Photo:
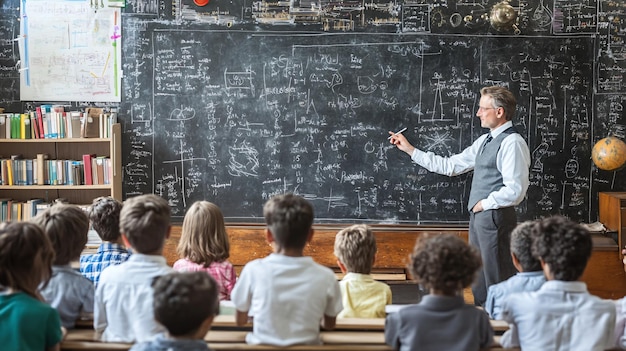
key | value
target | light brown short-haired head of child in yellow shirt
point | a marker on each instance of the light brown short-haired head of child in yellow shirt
(355, 248)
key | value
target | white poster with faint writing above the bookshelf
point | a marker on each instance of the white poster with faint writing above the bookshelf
(70, 51)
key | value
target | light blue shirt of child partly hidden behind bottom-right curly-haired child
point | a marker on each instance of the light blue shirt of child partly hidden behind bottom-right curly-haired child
(523, 281)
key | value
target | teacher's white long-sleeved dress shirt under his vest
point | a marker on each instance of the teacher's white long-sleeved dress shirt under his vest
(513, 162)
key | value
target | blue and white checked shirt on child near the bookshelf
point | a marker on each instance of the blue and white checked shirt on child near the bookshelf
(108, 254)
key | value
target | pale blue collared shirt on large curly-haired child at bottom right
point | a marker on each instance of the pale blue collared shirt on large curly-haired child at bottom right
(560, 315)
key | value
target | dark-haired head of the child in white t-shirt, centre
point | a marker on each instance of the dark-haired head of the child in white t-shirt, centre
(289, 218)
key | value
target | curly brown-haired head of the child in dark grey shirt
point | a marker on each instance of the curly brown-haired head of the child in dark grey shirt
(444, 263)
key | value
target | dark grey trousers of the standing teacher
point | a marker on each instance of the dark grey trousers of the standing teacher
(490, 232)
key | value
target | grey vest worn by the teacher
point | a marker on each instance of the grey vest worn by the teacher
(487, 178)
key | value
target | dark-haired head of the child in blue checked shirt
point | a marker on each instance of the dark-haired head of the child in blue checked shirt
(104, 214)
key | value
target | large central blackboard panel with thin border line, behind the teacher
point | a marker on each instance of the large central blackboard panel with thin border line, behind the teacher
(309, 114)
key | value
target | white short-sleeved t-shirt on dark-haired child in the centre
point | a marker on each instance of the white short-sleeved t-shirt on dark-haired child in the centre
(287, 297)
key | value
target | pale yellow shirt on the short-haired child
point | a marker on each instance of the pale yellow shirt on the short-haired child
(363, 297)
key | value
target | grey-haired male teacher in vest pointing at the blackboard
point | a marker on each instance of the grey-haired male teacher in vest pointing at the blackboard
(501, 161)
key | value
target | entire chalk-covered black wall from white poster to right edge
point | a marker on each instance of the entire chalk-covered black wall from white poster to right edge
(236, 102)
